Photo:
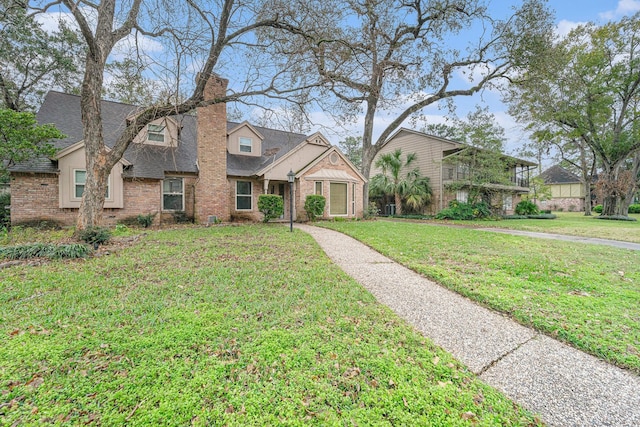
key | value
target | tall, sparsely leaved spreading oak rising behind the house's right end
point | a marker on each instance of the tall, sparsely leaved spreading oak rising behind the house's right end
(400, 56)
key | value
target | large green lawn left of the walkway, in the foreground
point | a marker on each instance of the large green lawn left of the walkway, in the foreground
(230, 326)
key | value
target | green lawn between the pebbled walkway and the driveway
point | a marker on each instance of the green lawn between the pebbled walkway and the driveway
(585, 295)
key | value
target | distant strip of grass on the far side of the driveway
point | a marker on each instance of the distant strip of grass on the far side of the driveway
(570, 223)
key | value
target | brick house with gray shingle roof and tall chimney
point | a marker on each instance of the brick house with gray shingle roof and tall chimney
(197, 165)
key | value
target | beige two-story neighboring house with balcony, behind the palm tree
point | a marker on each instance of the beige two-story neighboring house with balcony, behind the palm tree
(437, 158)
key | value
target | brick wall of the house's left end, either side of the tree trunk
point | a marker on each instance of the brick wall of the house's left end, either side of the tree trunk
(35, 197)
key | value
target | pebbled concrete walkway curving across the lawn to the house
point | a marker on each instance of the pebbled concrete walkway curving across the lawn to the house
(565, 386)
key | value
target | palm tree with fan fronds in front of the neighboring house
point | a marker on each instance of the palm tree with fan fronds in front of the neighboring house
(412, 187)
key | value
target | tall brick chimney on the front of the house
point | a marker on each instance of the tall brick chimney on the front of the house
(212, 188)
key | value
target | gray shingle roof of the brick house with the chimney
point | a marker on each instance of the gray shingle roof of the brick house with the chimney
(149, 161)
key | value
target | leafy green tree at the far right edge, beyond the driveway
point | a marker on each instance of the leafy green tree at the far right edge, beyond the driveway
(584, 95)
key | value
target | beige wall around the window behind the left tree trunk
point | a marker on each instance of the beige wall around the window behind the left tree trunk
(76, 161)
